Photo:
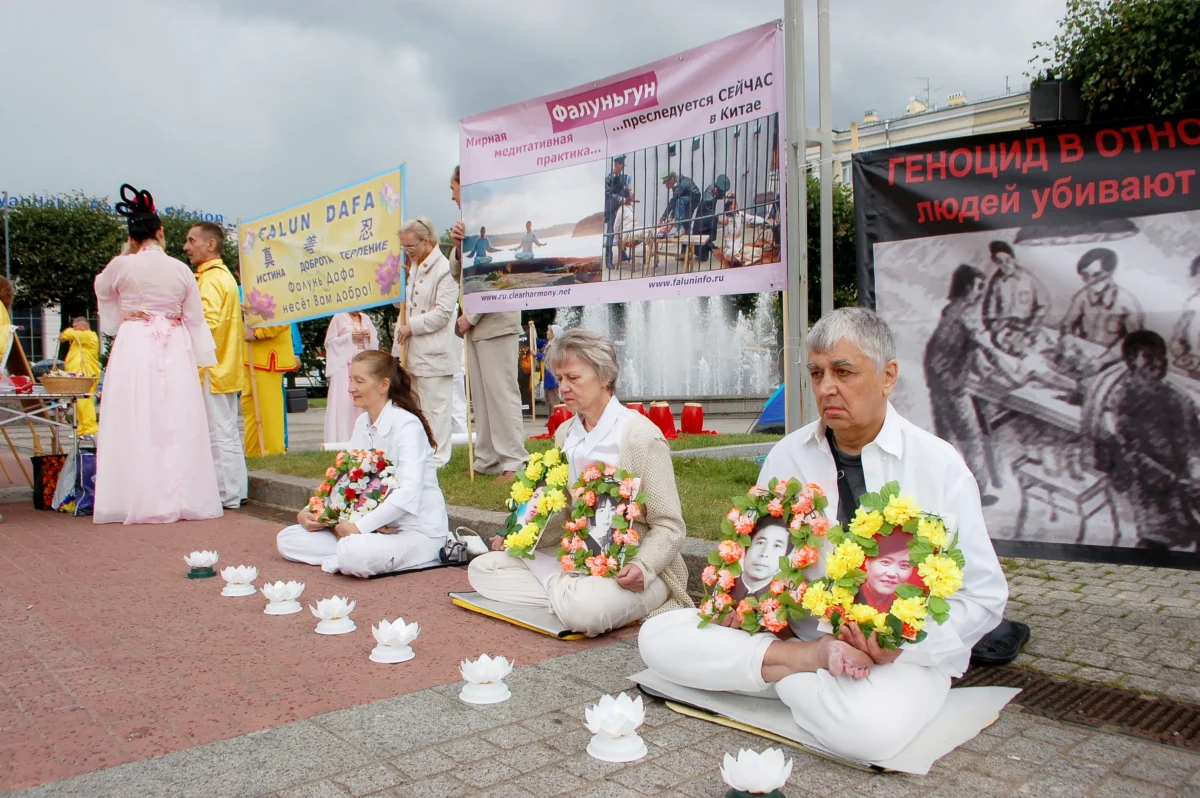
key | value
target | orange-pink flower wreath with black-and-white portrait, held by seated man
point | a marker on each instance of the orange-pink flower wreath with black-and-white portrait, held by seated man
(783, 514)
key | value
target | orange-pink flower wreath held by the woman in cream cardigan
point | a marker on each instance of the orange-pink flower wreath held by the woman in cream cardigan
(603, 484)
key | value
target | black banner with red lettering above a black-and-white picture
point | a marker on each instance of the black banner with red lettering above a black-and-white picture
(1045, 291)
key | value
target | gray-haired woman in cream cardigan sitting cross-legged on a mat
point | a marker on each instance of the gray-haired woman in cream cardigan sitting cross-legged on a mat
(602, 431)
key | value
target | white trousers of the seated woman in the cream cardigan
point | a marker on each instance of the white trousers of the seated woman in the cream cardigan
(592, 605)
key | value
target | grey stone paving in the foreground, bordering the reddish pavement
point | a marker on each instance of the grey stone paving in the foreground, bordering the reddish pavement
(429, 745)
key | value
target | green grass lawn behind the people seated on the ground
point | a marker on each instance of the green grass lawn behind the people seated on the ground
(706, 487)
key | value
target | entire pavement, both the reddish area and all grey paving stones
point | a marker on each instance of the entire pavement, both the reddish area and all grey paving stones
(110, 657)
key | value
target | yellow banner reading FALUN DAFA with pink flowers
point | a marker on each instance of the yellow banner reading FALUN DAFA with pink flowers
(334, 254)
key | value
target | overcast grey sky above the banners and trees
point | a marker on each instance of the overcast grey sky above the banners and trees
(243, 109)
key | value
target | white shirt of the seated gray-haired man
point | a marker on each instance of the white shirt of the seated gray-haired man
(935, 476)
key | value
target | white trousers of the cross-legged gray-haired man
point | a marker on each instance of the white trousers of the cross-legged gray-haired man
(869, 719)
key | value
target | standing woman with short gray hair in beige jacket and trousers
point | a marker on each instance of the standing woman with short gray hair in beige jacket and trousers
(427, 340)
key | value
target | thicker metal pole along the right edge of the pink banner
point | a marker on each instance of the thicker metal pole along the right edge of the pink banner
(796, 377)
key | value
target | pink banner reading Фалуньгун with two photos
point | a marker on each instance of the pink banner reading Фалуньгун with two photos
(659, 183)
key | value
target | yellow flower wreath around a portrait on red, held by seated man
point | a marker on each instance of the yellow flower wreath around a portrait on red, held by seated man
(891, 572)
